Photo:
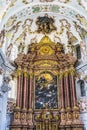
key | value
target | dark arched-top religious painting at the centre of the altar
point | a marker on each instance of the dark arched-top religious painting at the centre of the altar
(46, 91)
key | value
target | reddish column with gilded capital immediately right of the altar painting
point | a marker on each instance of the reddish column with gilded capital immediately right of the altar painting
(61, 88)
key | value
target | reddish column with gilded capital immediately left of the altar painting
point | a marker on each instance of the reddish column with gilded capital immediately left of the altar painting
(30, 109)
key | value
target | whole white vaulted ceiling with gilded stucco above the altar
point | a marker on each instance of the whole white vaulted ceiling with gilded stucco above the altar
(66, 22)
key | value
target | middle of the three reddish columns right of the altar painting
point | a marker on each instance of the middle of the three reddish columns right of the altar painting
(67, 100)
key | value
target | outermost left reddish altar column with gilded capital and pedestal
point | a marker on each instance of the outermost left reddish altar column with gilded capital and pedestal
(16, 124)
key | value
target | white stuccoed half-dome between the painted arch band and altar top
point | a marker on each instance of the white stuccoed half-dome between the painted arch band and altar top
(24, 32)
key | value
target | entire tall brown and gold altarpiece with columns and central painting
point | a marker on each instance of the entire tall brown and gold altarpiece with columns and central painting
(46, 95)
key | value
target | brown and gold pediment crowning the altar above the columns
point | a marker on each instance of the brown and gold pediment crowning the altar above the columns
(46, 54)
